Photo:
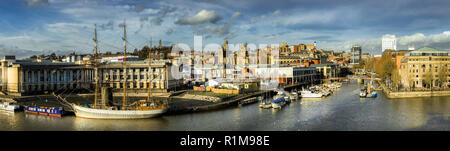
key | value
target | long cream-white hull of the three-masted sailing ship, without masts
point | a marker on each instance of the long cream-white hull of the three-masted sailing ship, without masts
(115, 114)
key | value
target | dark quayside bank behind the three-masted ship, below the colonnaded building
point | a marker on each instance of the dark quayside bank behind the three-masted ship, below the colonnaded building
(182, 102)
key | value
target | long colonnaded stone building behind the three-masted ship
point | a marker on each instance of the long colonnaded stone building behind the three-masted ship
(25, 77)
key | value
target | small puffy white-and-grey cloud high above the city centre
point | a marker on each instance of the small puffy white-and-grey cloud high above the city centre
(204, 16)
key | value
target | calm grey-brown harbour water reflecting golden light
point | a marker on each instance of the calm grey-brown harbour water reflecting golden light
(343, 110)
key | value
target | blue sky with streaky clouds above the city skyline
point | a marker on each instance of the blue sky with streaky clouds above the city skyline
(34, 27)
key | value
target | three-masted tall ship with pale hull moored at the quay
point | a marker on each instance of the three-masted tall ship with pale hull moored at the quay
(137, 110)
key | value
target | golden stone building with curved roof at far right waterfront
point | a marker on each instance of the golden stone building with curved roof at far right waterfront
(417, 65)
